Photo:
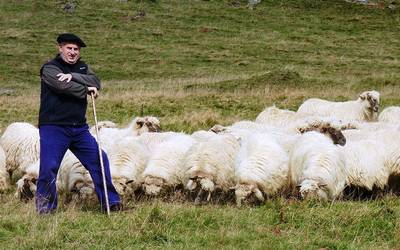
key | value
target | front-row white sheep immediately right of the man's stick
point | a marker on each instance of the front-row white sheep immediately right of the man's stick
(127, 162)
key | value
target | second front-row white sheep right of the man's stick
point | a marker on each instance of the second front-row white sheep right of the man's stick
(165, 168)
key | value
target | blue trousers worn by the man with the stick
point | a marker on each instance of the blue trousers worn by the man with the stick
(55, 140)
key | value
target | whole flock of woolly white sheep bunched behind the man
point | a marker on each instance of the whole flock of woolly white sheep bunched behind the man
(322, 151)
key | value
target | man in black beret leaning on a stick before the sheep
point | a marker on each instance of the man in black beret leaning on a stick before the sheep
(65, 83)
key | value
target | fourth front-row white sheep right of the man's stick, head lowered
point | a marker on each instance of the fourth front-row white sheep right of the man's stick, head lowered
(261, 167)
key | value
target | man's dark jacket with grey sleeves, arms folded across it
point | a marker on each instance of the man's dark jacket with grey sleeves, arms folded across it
(63, 103)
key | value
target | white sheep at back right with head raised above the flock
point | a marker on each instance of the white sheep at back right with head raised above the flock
(365, 108)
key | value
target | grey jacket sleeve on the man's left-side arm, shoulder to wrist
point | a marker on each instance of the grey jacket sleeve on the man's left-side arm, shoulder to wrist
(71, 88)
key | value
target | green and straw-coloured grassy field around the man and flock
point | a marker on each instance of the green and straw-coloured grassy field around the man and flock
(194, 64)
